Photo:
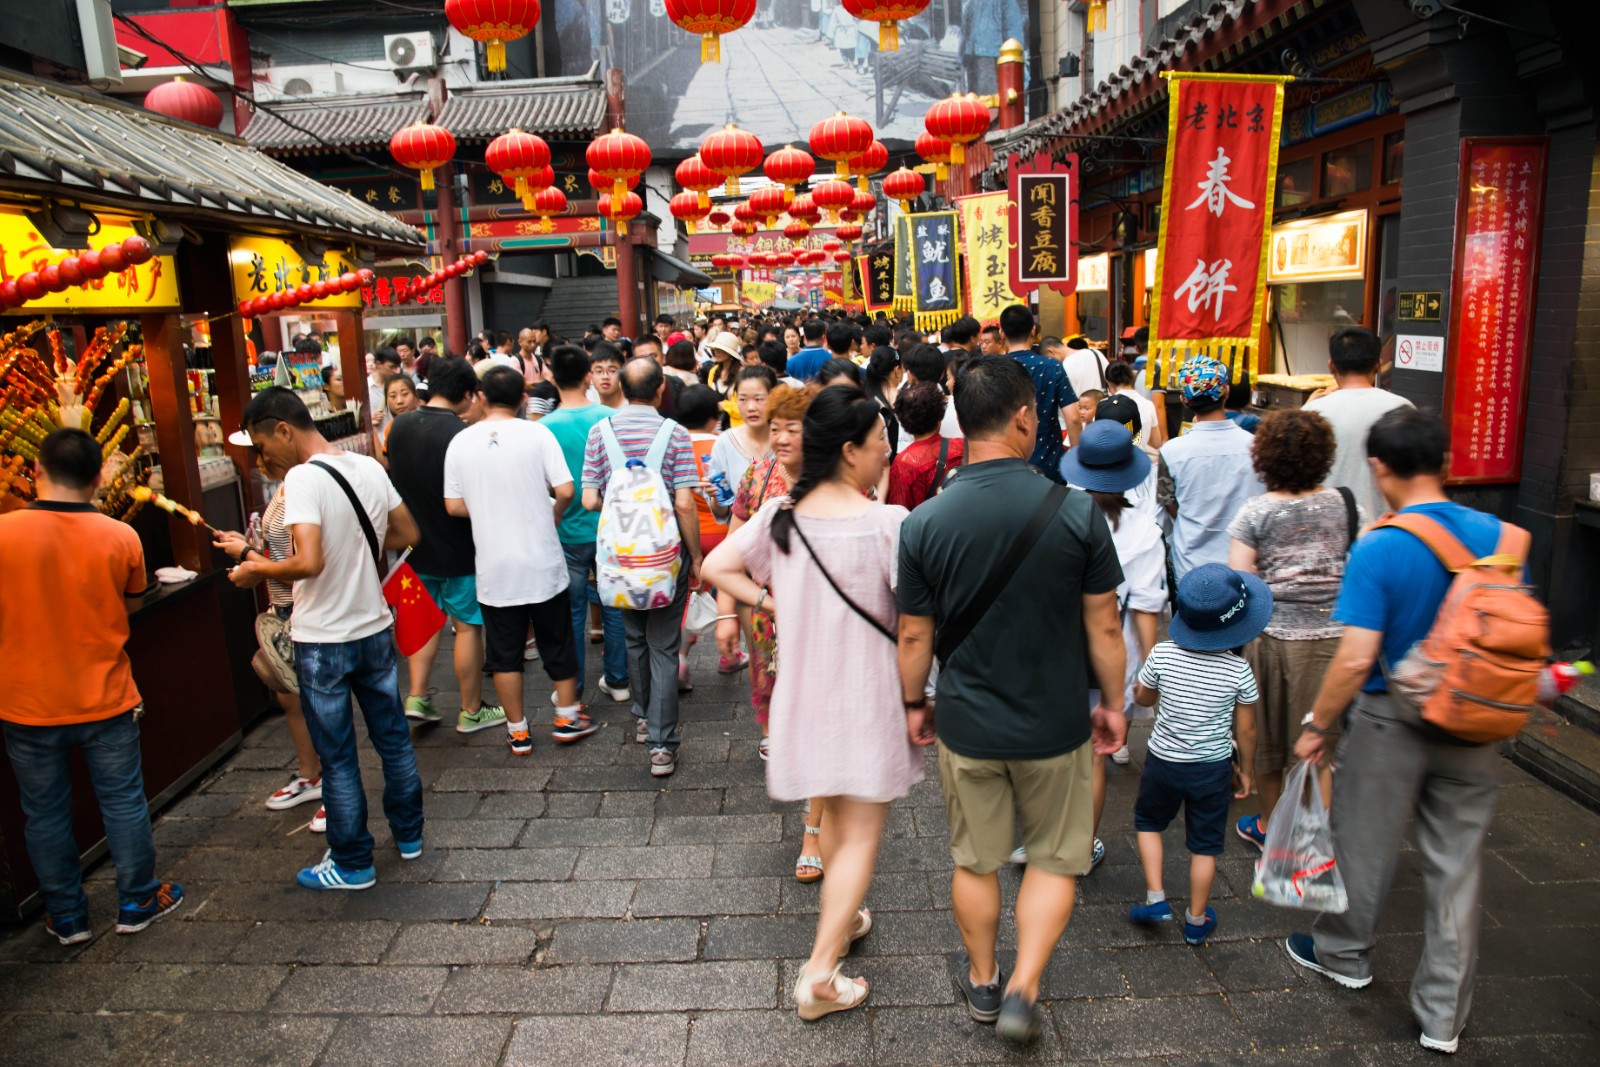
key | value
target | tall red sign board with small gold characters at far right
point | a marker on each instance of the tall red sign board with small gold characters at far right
(1500, 214)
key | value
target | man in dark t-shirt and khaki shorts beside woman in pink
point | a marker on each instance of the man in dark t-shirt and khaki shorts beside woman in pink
(1015, 729)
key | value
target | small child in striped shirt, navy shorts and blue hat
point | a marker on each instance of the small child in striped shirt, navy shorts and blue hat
(1206, 697)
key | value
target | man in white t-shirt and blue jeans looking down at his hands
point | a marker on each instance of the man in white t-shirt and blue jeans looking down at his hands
(342, 513)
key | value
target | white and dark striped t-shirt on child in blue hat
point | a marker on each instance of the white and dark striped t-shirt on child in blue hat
(1194, 719)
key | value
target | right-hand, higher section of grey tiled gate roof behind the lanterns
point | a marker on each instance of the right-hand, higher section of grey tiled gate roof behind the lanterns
(572, 110)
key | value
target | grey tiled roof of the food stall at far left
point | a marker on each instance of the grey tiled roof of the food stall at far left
(66, 143)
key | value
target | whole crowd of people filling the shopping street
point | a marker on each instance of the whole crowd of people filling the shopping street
(977, 541)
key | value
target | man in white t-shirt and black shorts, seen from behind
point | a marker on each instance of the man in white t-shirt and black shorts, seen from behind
(511, 479)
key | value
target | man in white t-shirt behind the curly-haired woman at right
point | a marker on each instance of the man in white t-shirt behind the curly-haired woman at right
(1353, 409)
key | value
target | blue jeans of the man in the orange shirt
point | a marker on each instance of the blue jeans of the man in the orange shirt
(111, 748)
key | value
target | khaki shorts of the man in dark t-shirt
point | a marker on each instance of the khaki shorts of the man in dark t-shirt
(1055, 799)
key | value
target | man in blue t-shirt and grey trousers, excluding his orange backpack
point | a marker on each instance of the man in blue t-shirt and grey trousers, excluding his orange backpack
(1393, 764)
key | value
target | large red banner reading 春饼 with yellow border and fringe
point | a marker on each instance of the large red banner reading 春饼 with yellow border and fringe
(1217, 220)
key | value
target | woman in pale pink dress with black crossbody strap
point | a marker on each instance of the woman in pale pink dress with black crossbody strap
(828, 554)
